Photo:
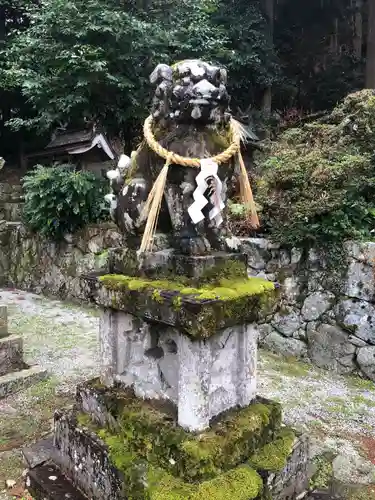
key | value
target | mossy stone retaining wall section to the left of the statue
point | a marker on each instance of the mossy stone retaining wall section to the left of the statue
(32, 263)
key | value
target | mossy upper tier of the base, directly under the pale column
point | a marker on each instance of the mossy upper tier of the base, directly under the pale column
(148, 429)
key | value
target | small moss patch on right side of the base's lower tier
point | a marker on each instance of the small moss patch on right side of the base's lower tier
(273, 456)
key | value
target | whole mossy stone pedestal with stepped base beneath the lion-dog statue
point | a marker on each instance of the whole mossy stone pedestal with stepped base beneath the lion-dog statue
(175, 413)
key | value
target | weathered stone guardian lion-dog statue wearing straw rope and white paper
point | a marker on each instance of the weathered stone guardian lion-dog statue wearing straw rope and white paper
(190, 121)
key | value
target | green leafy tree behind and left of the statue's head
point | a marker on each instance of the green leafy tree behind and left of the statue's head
(91, 59)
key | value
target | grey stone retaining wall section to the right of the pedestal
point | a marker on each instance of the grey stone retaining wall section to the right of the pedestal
(325, 315)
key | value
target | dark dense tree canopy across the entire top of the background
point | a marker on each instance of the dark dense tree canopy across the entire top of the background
(66, 62)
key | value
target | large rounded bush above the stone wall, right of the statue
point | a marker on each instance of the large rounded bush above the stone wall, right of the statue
(318, 183)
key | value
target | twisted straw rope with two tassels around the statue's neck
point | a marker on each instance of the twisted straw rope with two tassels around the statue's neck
(153, 204)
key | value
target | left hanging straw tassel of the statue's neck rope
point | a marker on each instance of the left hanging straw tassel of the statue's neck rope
(152, 208)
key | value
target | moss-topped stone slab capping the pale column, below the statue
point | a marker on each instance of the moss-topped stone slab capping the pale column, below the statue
(198, 312)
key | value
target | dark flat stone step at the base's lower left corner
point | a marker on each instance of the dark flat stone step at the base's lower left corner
(46, 482)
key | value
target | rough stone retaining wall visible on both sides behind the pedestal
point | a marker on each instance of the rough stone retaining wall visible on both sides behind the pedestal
(323, 316)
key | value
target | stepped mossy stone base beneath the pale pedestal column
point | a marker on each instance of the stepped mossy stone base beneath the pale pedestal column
(114, 445)
